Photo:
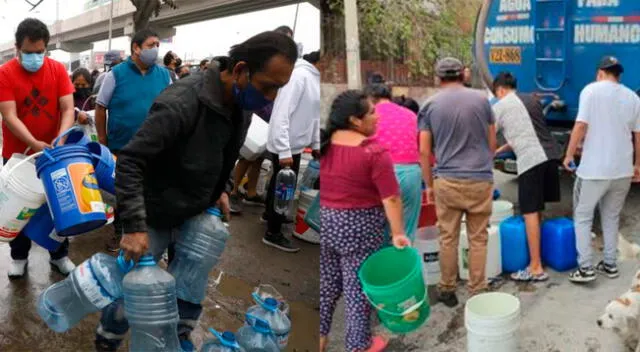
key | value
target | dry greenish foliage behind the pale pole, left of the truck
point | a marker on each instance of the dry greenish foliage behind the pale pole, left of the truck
(415, 32)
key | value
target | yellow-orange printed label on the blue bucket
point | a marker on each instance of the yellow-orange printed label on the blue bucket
(85, 185)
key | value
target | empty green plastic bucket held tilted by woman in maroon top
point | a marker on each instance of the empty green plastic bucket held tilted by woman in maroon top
(392, 281)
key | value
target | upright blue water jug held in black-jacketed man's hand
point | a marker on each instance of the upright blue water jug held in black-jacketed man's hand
(151, 308)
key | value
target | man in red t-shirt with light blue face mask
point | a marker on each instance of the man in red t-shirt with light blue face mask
(36, 102)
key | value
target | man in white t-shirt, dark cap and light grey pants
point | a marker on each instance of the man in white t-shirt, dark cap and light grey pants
(608, 117)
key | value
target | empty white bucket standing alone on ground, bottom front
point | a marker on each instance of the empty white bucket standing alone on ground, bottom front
(492, 321)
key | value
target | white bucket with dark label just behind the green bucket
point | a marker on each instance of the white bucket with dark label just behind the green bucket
(429, 248)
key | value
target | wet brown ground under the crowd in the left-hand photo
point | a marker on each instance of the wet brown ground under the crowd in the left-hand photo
(246, 263)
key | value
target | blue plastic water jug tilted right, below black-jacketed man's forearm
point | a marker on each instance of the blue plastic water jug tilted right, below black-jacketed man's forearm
(198, 249)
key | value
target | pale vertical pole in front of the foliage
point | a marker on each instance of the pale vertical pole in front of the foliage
(353, 44)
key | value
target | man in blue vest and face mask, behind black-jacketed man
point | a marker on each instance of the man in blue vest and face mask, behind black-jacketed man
(139, 81)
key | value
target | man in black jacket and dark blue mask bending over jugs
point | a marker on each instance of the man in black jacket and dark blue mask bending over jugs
(178, 163)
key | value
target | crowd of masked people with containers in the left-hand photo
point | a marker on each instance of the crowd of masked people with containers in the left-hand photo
(176, 135)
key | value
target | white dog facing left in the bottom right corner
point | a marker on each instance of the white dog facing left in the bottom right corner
(622, 317)
